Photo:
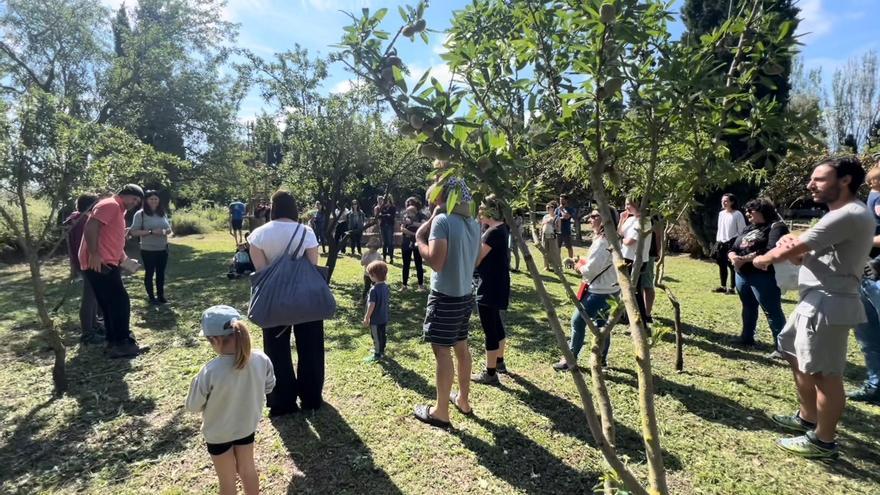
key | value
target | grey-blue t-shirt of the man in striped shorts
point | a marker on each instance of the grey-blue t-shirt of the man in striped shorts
(462, 237)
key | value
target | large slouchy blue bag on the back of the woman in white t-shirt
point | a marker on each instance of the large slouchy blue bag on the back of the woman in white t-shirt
(290, 291)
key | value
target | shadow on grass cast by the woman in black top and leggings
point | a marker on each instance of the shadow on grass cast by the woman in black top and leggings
(569, 419)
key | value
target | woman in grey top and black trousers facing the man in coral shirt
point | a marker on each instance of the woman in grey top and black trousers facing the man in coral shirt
(151, 225)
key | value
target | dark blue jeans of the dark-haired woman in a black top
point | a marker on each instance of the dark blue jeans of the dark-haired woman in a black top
(759, 291)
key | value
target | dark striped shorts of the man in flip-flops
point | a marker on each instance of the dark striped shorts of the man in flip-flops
(447, 318)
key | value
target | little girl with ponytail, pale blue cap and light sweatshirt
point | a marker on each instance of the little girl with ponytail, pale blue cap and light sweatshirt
(230, 391)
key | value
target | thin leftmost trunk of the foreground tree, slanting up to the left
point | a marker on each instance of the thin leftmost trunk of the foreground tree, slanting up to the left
(608, 452)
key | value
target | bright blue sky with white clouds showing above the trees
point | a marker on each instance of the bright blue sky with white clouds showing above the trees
(833, 31)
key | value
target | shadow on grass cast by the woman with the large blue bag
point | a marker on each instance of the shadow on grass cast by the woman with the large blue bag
(329, 456)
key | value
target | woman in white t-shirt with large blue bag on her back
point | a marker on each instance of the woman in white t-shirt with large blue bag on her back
(289, 296)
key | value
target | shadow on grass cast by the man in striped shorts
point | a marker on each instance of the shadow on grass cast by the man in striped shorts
(523, 463)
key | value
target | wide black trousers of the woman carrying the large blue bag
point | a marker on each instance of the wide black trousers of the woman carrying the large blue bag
(307, 382)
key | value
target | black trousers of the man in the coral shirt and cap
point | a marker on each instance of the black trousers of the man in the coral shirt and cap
(114, 303)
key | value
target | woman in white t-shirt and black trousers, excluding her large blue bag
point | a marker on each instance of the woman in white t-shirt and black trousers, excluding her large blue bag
(267, 244)
